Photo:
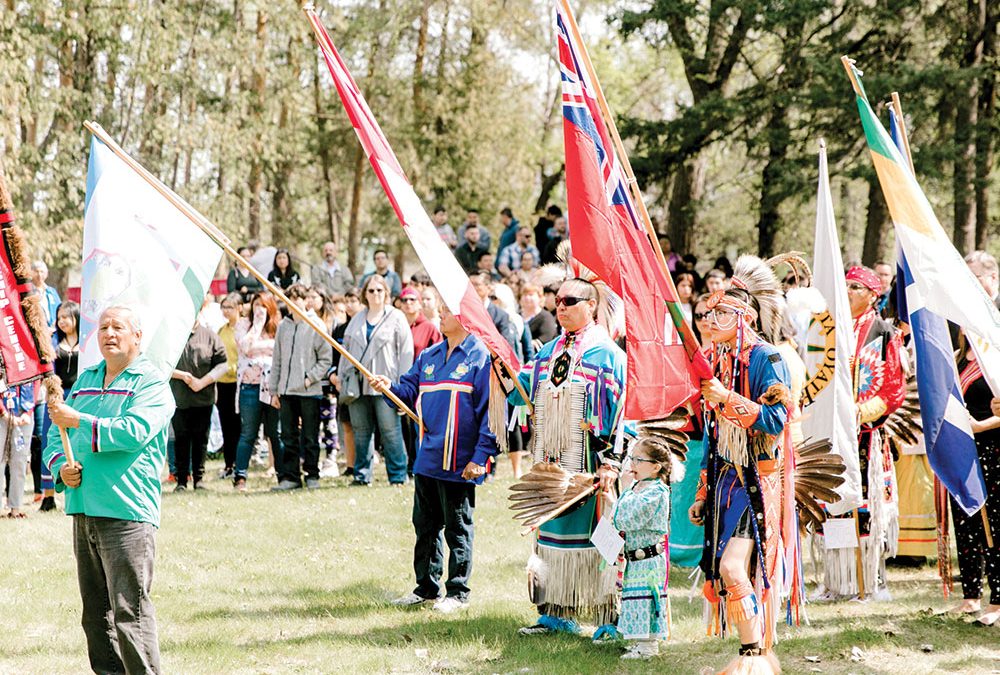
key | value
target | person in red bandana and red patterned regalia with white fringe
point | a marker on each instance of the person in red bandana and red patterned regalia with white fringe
(879, 388)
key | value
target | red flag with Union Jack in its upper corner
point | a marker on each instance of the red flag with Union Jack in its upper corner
(664, 361)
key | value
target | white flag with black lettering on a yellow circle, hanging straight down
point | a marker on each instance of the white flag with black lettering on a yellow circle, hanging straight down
(828, 410)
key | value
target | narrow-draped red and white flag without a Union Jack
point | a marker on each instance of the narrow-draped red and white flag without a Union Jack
(447, 275)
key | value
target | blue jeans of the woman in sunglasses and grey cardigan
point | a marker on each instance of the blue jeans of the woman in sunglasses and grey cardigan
(367, 412)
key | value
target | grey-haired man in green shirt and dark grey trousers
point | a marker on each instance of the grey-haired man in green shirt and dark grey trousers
(116, 417)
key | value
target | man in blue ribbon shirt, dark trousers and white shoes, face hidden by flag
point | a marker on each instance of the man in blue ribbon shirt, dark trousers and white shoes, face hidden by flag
(449, 385)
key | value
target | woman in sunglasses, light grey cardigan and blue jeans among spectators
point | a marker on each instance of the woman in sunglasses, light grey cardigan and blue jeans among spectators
(379, 337)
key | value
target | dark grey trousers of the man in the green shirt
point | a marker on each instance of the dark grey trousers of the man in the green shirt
(114, 566)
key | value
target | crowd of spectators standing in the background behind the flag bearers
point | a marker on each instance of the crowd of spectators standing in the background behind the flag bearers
(259, 387)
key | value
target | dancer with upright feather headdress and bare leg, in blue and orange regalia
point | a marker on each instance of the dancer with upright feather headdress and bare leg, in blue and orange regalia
(742, 496)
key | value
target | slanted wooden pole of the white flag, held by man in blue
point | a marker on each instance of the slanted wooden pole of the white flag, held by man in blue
(216, 235)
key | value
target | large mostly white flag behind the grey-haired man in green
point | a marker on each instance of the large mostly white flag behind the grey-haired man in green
(141, 251)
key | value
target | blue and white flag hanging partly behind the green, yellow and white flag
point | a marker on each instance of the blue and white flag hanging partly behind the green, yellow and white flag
(951, 448)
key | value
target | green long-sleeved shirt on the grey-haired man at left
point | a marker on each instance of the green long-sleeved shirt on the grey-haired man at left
(121, 443)
